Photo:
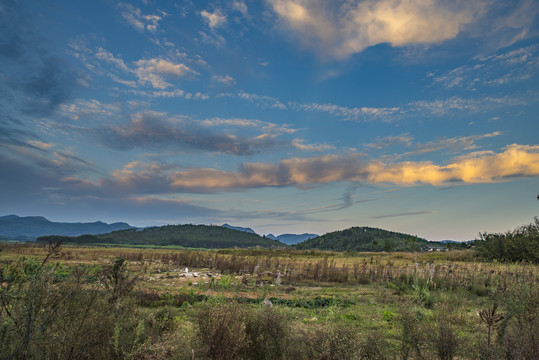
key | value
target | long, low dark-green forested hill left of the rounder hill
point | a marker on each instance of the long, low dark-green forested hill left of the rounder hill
(193, 236)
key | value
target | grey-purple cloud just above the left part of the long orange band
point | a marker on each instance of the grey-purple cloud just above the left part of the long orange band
(154, 130)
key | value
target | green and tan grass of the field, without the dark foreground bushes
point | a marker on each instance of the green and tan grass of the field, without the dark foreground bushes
(163, 309)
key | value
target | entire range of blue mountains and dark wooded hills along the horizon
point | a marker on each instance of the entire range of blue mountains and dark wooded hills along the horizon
(30, 228)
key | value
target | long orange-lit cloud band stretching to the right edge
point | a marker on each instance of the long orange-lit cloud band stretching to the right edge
(514, 161)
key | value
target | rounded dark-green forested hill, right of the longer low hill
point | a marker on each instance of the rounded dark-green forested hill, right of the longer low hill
(364, 239)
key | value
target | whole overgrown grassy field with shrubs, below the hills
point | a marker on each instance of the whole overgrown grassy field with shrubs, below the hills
(158, 303)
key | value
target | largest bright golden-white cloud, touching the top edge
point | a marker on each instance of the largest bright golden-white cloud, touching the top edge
(339, 29)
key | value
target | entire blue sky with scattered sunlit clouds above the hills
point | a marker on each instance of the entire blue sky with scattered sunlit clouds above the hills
(286, 116)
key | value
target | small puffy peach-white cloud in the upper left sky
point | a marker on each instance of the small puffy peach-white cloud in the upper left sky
(154, 71)
